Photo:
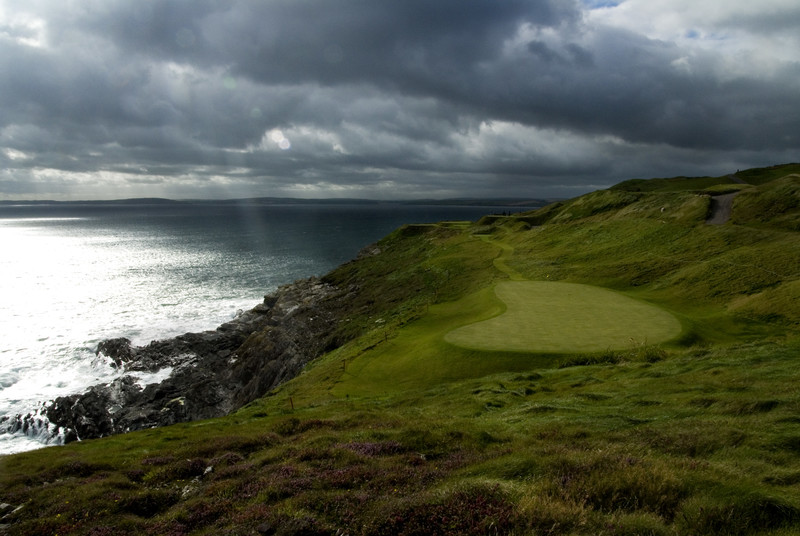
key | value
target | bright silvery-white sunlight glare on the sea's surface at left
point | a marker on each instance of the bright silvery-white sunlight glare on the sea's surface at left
(64, 292)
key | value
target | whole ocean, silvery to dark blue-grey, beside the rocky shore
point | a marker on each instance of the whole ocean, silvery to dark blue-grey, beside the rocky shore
(72, 275)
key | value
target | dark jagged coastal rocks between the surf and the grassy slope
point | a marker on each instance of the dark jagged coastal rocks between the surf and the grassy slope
(213, 372)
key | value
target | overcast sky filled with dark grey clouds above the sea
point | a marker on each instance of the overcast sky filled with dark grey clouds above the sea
(104, 99)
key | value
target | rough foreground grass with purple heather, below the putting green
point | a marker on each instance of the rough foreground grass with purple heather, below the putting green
(700, 443)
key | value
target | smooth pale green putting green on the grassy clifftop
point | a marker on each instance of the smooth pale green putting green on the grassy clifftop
(551, 317)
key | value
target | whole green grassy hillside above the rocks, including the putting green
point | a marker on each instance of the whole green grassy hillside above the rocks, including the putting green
(400, 431)
